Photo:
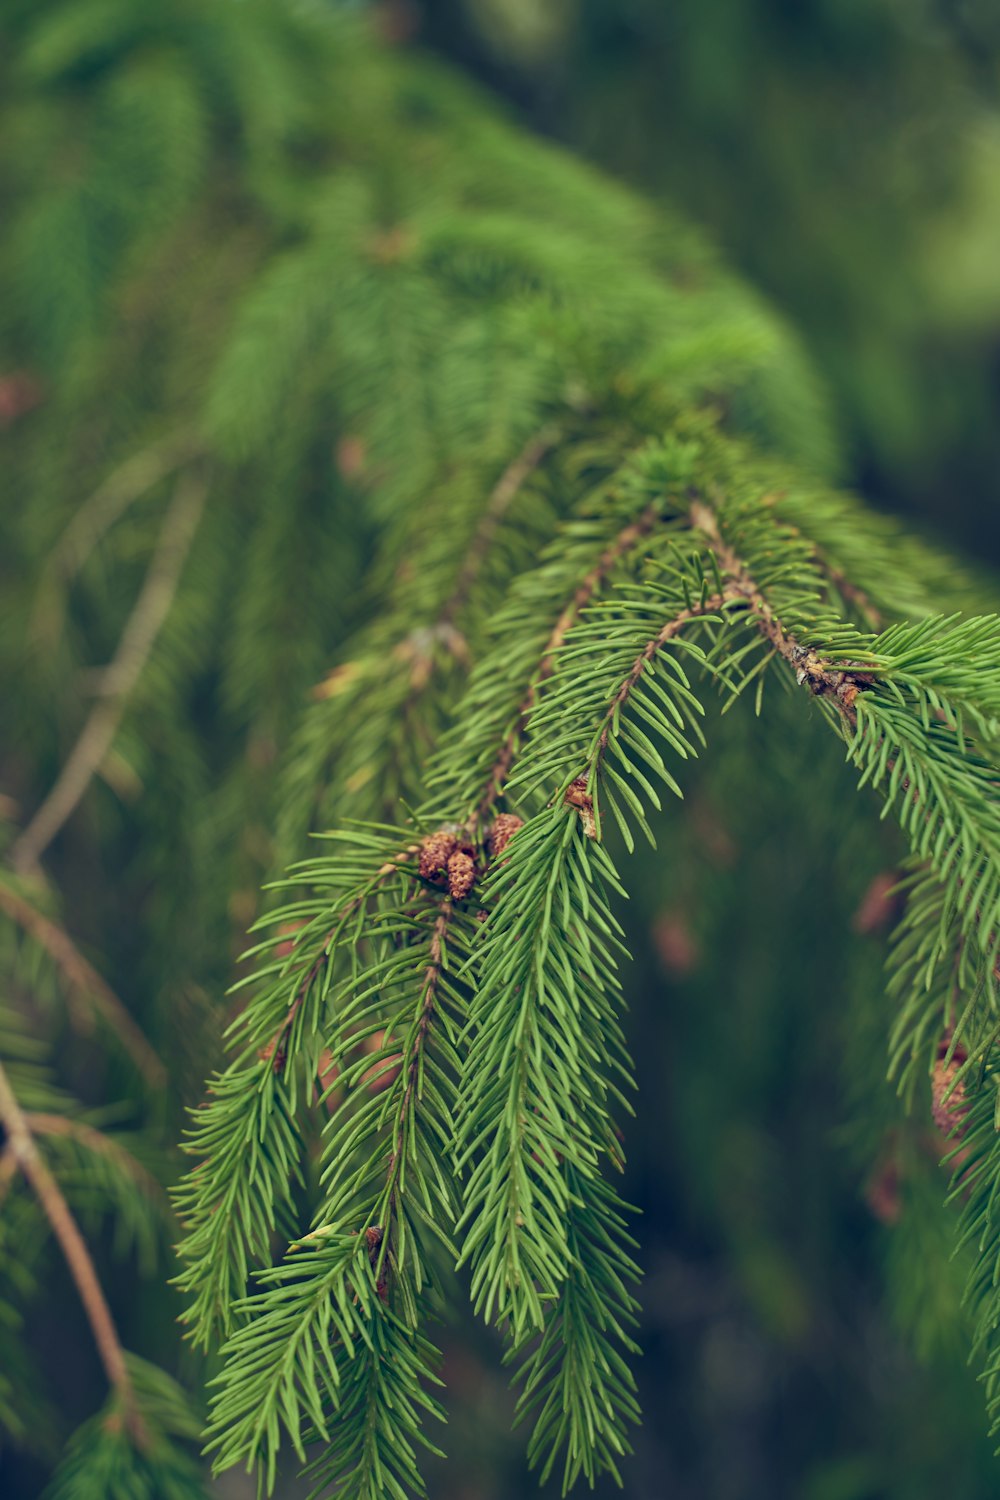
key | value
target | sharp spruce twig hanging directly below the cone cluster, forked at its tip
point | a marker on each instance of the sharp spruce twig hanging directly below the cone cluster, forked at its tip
(380, 1204)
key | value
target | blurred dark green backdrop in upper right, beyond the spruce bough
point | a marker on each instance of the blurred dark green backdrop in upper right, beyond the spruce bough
(846, 157)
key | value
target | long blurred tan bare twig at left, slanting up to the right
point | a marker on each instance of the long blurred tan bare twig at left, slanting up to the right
(137, 641)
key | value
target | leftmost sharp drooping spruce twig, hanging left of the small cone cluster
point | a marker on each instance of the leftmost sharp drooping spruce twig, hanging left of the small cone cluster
(247, 1138)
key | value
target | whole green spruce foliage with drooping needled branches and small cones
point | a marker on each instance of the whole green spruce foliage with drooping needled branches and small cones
(331, 383)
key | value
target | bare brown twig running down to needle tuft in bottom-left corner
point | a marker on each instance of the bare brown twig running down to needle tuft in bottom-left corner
(73, 1244)
